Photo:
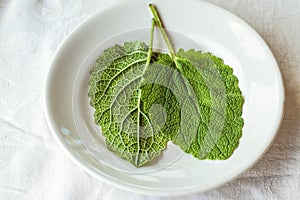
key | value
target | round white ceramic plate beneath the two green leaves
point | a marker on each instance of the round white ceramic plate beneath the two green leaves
(192, 24)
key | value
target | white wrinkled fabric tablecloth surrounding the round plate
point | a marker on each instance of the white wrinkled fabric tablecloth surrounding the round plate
(32, 166)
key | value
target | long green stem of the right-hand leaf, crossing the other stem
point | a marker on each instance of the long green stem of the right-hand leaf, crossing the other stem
(158, 22)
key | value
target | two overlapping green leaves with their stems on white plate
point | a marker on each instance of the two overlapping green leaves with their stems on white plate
(144, 99)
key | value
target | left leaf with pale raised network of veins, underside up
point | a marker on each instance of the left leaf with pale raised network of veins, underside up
(114, 91)
